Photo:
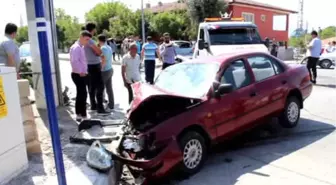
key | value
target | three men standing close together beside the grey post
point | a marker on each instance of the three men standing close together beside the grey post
(92, 69)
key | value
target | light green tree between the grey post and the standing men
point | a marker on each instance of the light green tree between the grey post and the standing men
(68, 28)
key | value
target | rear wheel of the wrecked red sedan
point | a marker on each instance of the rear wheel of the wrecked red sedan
(290, 116)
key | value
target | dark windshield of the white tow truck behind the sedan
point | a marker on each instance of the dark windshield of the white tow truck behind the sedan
(220, 36)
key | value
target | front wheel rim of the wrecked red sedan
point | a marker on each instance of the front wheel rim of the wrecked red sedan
(192, 154)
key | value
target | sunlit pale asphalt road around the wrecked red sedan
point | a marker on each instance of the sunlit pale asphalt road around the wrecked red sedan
(269, 155)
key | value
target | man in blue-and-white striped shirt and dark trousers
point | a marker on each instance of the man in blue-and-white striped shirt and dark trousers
(149, 52)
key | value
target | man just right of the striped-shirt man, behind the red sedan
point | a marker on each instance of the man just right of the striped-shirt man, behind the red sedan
(167, 51)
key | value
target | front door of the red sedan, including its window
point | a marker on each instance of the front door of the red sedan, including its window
(230, 109)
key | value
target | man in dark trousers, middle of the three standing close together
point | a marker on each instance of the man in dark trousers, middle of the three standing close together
(95, 58)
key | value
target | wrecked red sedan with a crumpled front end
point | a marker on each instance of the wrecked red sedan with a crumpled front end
(196, 104)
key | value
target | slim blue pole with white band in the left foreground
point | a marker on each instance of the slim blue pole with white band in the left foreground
(41, 25)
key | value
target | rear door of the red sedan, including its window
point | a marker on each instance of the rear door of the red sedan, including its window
(271, 84)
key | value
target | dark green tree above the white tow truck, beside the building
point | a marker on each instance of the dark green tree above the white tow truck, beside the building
(200, 9)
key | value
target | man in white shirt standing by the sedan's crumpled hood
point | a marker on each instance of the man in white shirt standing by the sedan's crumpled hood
(130, 70)
